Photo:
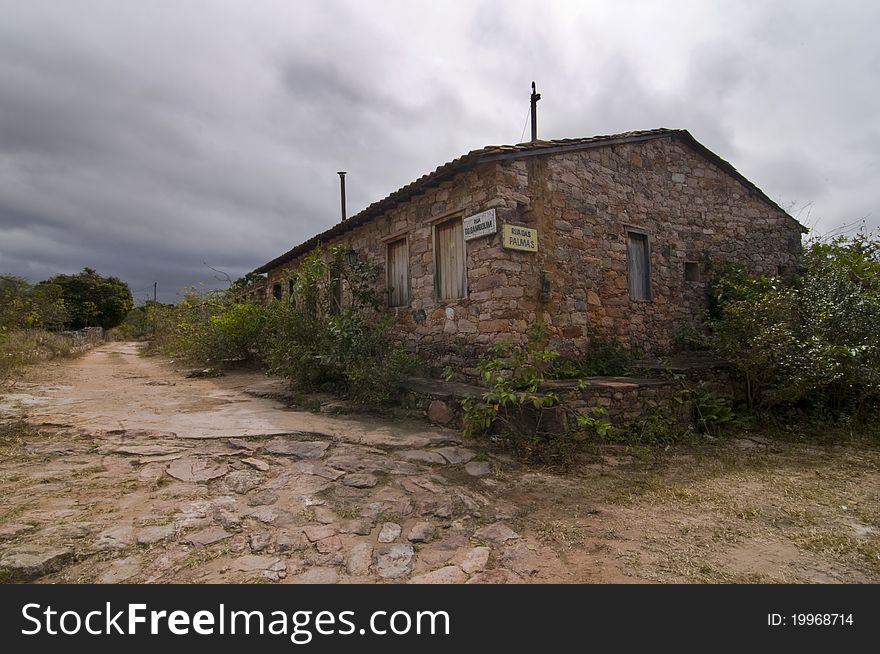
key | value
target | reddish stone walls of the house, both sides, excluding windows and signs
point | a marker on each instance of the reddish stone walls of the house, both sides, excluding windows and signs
(581, 202)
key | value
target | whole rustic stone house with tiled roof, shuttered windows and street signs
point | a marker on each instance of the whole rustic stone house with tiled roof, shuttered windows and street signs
(606, 235)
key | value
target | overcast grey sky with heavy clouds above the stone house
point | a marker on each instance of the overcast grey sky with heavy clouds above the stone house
(144, 139)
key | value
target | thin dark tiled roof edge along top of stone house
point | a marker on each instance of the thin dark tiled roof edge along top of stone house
(498, 153)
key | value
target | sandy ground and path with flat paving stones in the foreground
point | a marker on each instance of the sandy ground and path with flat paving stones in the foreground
(128, 471)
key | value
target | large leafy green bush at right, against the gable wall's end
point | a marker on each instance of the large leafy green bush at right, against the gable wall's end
(811, 341)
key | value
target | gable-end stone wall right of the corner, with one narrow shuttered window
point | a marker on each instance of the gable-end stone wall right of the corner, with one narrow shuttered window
(692, 211)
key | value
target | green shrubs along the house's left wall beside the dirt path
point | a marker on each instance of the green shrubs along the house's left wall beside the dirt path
(307, 337)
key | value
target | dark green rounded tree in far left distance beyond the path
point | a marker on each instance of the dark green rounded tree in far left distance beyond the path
(90, 299)
